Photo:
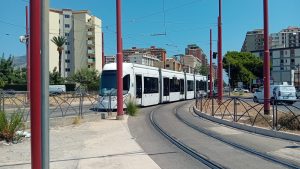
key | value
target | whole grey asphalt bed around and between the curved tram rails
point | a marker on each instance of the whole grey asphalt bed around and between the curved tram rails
(152, 142)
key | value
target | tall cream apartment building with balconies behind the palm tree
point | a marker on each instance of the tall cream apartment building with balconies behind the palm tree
(83, 48)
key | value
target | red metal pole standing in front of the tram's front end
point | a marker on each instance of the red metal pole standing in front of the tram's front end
(119, 63)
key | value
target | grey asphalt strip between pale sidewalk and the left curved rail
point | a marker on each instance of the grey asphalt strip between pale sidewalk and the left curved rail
(164, 153)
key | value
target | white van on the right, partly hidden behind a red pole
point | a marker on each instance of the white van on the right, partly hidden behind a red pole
(280, 93)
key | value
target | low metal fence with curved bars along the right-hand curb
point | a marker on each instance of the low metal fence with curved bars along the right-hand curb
(243, 110)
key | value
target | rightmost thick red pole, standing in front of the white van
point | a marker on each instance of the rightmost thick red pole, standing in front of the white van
(266, 60)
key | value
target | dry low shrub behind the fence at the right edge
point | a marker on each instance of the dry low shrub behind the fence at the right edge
(288, 121)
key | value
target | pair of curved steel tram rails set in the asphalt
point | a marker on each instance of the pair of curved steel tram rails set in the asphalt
(203, 158)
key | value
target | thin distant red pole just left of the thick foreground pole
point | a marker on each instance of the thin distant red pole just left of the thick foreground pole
(27, 53)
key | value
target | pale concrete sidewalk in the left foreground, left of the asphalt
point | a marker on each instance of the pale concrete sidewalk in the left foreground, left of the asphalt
(104, 144)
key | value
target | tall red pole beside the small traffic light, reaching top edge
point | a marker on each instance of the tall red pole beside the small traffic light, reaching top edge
(220, 65)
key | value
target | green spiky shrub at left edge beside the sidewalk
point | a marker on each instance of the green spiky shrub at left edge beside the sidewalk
(9, 126)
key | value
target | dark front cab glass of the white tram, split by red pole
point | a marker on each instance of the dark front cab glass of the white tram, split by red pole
(109, 83)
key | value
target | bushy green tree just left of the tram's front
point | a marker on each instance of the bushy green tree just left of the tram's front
(87, 77)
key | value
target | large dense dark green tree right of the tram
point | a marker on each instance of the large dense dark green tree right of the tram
(244, 67)
